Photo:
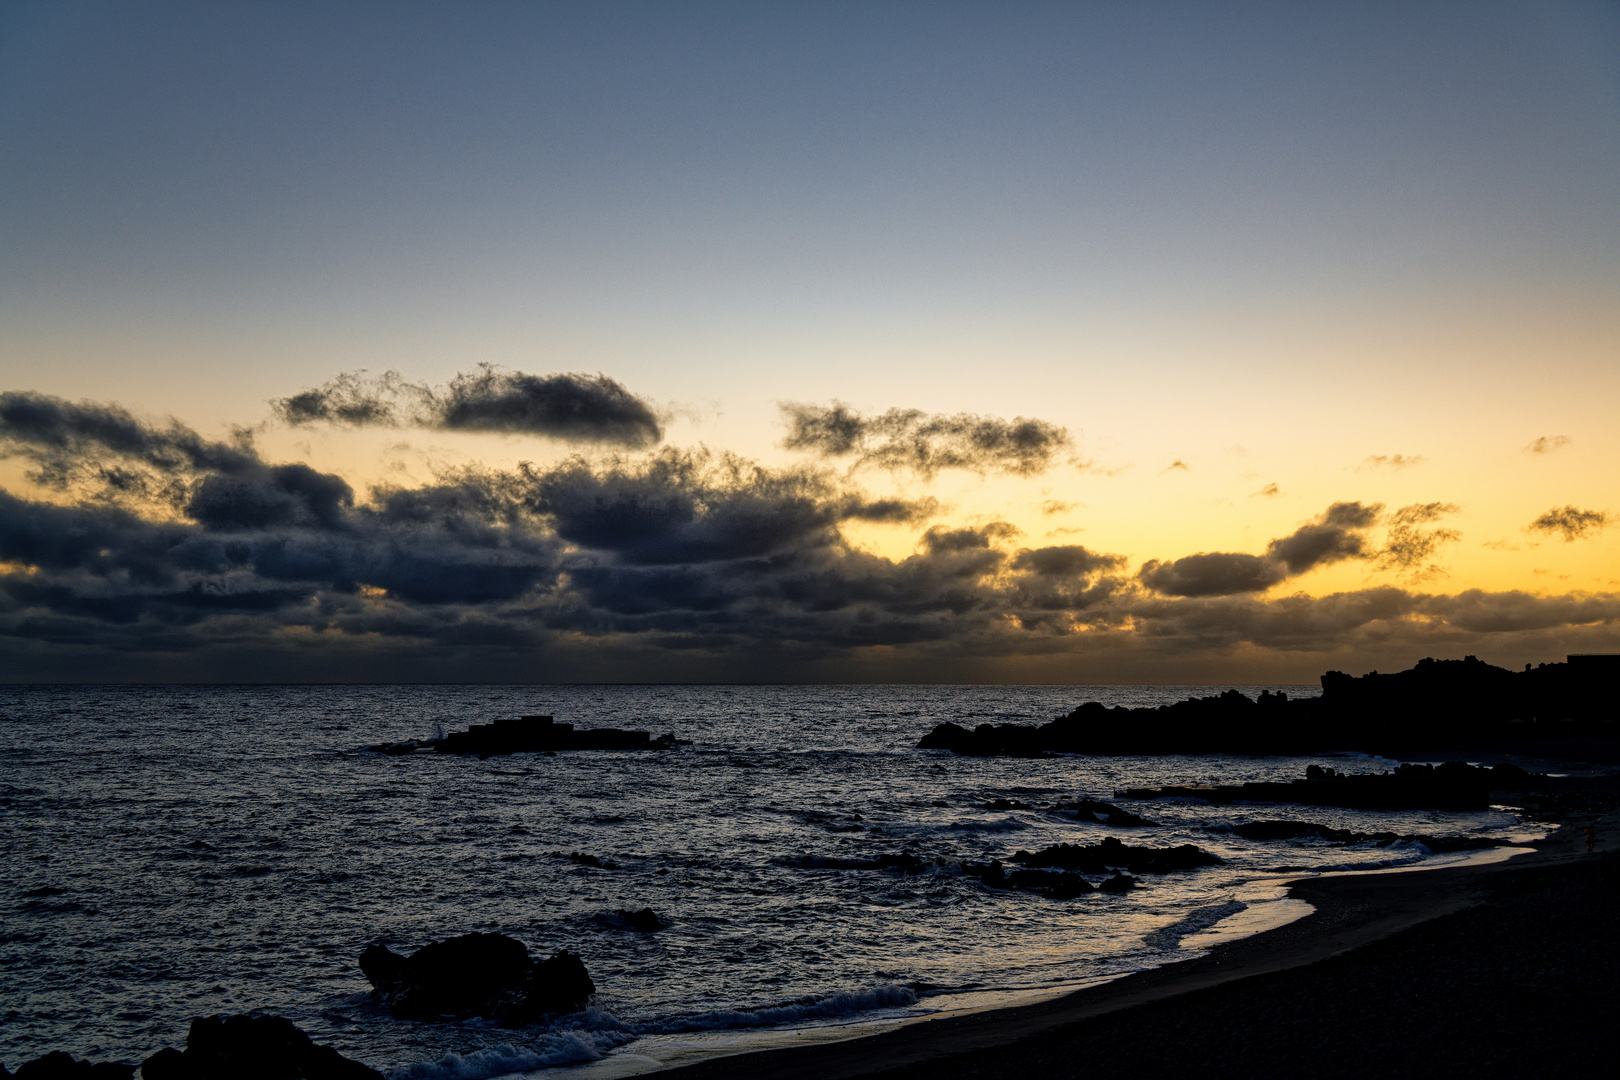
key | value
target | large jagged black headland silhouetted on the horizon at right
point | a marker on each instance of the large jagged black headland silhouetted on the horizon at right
(1554, 708)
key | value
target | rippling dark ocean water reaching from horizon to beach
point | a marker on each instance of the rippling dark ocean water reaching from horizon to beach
(184, 851)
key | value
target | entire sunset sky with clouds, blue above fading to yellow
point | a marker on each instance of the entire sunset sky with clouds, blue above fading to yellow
(806, 342)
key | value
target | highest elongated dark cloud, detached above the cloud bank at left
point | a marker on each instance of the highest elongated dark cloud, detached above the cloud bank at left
(569, 407)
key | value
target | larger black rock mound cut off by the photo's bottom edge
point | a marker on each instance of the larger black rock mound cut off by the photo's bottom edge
(252, 1048)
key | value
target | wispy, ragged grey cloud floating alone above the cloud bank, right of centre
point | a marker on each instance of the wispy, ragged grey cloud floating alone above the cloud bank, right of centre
(927, 443)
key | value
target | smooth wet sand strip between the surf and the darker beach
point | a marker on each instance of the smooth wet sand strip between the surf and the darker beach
(1350, 912)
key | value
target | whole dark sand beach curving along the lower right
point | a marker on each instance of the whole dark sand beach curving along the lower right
(1486, 971)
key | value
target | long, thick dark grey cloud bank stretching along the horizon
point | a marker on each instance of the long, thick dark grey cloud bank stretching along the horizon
(158, 553)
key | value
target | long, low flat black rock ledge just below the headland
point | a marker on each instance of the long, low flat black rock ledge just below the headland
(1451, 786)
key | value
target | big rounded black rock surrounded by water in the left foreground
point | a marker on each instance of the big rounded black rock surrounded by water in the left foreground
(487, 976)
